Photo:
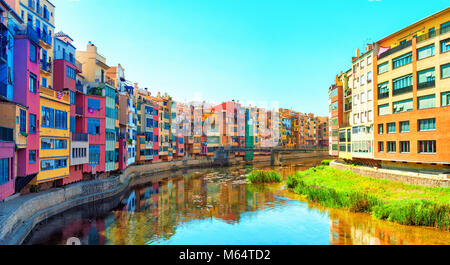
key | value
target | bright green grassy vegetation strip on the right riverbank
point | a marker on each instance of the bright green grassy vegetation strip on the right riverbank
(384, 199)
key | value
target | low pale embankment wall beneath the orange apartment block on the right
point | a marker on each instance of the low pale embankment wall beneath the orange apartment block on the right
(431, 180)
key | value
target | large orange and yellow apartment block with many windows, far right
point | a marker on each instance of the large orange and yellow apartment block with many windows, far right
(412, 96)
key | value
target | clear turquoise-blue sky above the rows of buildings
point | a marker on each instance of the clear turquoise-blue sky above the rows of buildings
(255, 51)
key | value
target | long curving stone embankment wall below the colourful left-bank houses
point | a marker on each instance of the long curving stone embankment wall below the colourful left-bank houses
(20, 215)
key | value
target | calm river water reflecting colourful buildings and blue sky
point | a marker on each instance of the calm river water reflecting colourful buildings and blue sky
(218, 207)
